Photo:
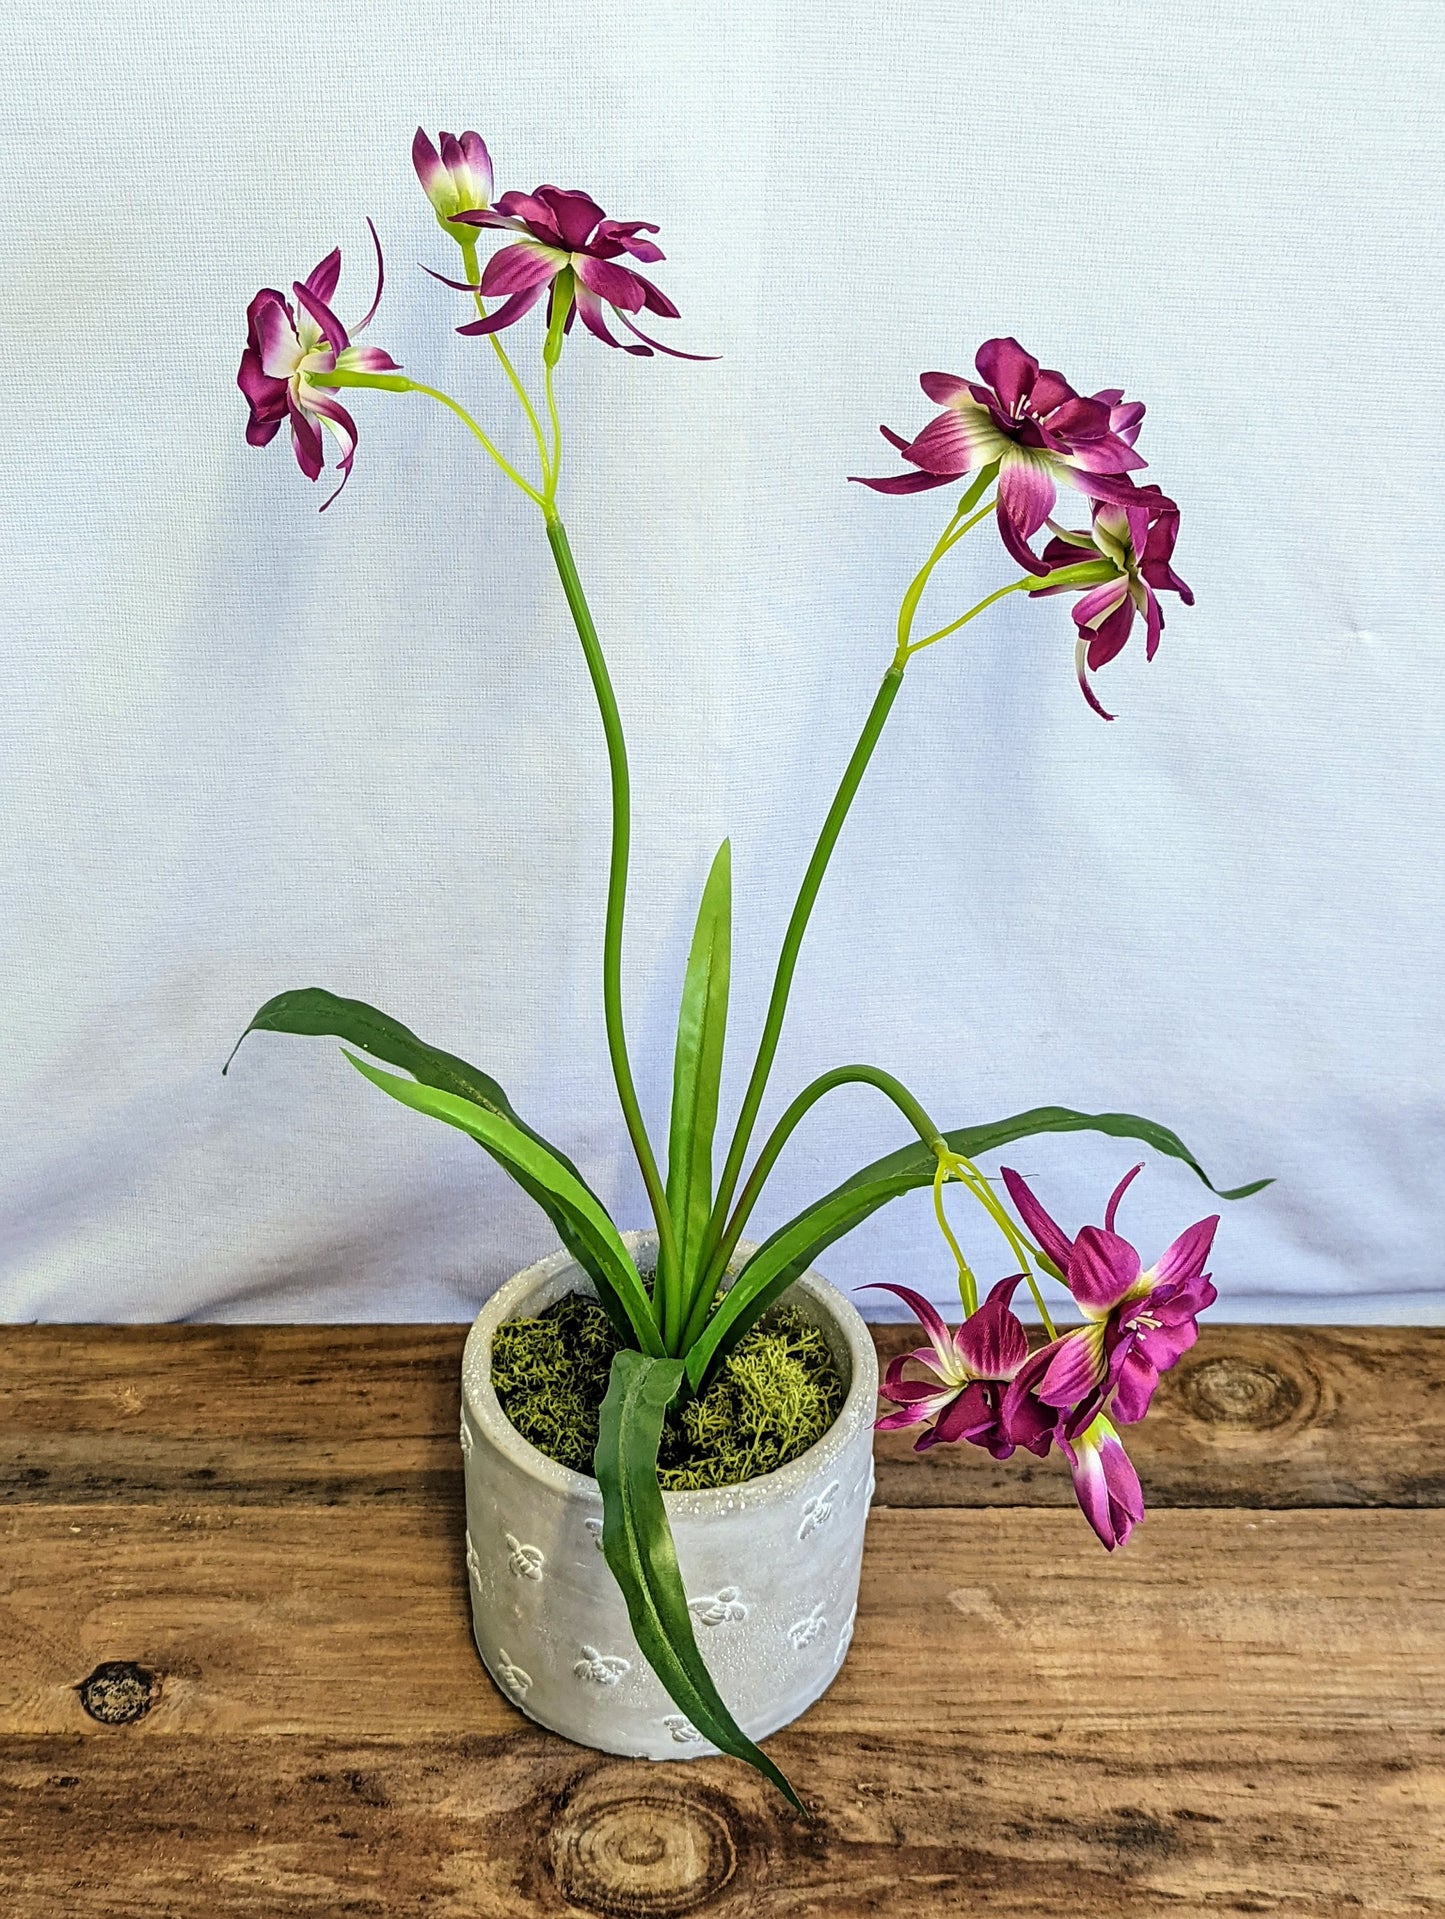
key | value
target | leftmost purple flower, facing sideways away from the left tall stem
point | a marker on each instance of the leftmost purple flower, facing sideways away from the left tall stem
(287, 346)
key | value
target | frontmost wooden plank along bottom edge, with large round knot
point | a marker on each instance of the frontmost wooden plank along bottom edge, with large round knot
(1003, 1822)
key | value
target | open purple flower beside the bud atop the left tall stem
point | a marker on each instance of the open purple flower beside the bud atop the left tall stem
(569, 233)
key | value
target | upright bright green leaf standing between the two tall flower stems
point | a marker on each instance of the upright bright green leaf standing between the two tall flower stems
(698, 1066)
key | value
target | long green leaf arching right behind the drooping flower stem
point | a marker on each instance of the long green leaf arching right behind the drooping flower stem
(794, 1248)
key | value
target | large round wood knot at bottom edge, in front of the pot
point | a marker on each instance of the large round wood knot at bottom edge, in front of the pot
(648, 1855)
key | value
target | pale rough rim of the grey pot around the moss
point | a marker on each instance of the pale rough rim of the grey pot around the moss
(485, 1410)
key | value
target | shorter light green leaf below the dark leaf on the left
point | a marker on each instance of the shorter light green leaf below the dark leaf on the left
(536, 1164)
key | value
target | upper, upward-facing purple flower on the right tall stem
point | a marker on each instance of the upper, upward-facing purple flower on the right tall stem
(1035, 427)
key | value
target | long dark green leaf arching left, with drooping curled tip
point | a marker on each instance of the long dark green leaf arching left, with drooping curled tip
(312, 1010)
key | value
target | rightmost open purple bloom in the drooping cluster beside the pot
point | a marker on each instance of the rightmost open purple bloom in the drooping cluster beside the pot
(1137, 1323)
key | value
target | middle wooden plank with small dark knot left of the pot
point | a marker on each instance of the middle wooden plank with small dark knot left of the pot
(354, 1623)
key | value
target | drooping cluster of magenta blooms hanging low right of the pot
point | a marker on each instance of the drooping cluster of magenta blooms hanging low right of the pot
(985, 1386)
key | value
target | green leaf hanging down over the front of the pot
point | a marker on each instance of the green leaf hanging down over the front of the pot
(640, 1550)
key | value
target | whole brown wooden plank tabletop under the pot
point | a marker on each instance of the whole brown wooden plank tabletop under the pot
(260, 1534)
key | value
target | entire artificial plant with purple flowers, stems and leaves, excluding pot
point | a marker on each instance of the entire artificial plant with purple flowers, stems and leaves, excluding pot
(1008, 442)
